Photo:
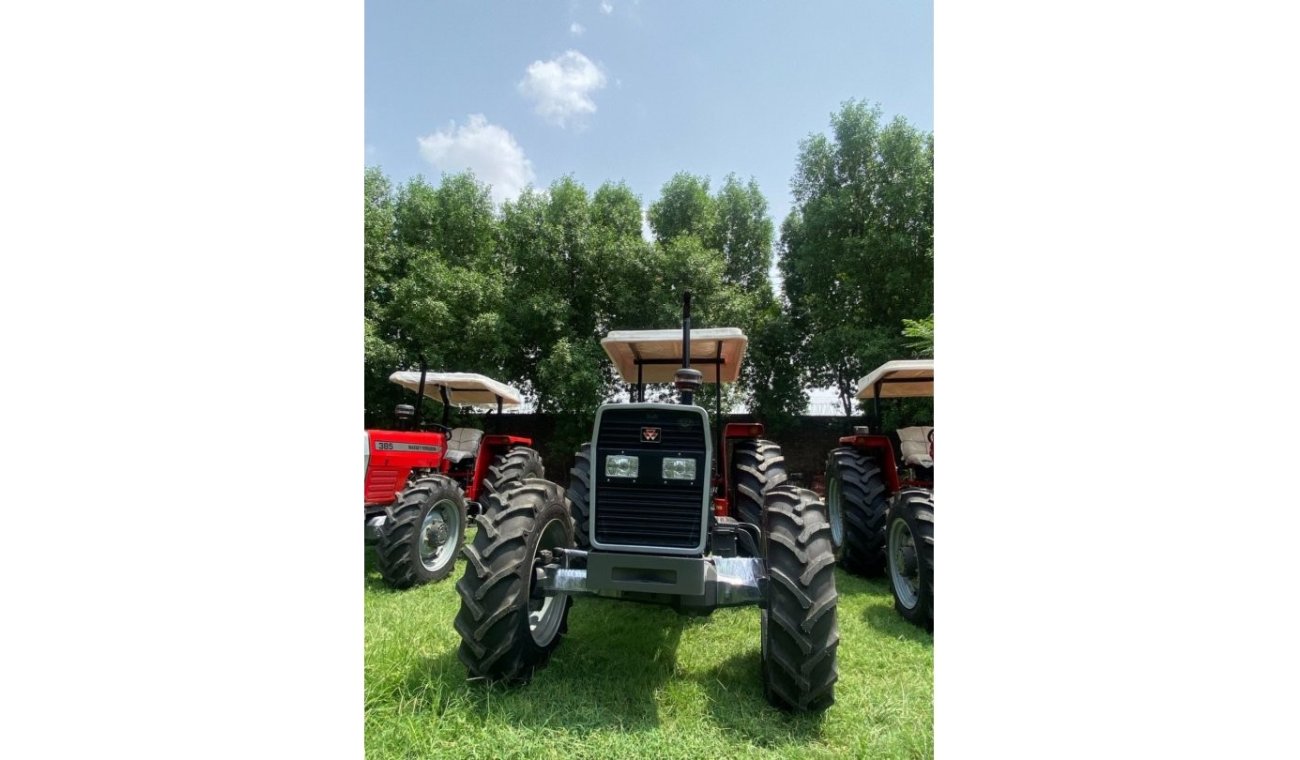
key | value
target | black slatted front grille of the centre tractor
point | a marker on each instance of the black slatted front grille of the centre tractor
(649, 511)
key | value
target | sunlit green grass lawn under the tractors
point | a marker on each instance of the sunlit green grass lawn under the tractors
(639, 681)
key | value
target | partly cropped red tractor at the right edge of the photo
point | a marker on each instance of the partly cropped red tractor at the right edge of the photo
(881, 493)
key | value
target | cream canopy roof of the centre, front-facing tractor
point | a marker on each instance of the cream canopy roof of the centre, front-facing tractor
(664, 349)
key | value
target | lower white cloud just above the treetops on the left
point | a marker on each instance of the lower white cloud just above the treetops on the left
(488, 150)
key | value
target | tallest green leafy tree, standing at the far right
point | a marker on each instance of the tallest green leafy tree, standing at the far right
(859, 246)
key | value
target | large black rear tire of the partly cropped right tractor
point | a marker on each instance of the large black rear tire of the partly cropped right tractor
(857, 483)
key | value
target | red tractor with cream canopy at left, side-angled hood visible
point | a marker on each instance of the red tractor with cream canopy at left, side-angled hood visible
(423, 484)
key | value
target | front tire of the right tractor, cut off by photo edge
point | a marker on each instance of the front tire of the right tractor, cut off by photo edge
(912, 557)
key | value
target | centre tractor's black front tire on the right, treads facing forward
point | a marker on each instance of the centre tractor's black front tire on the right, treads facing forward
(800, 631)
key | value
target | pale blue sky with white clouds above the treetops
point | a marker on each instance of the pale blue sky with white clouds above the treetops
(635, 92)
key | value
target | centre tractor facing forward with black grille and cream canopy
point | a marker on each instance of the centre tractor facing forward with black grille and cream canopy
(662, 509)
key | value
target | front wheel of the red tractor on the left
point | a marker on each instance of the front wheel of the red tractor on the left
(423, 535)
